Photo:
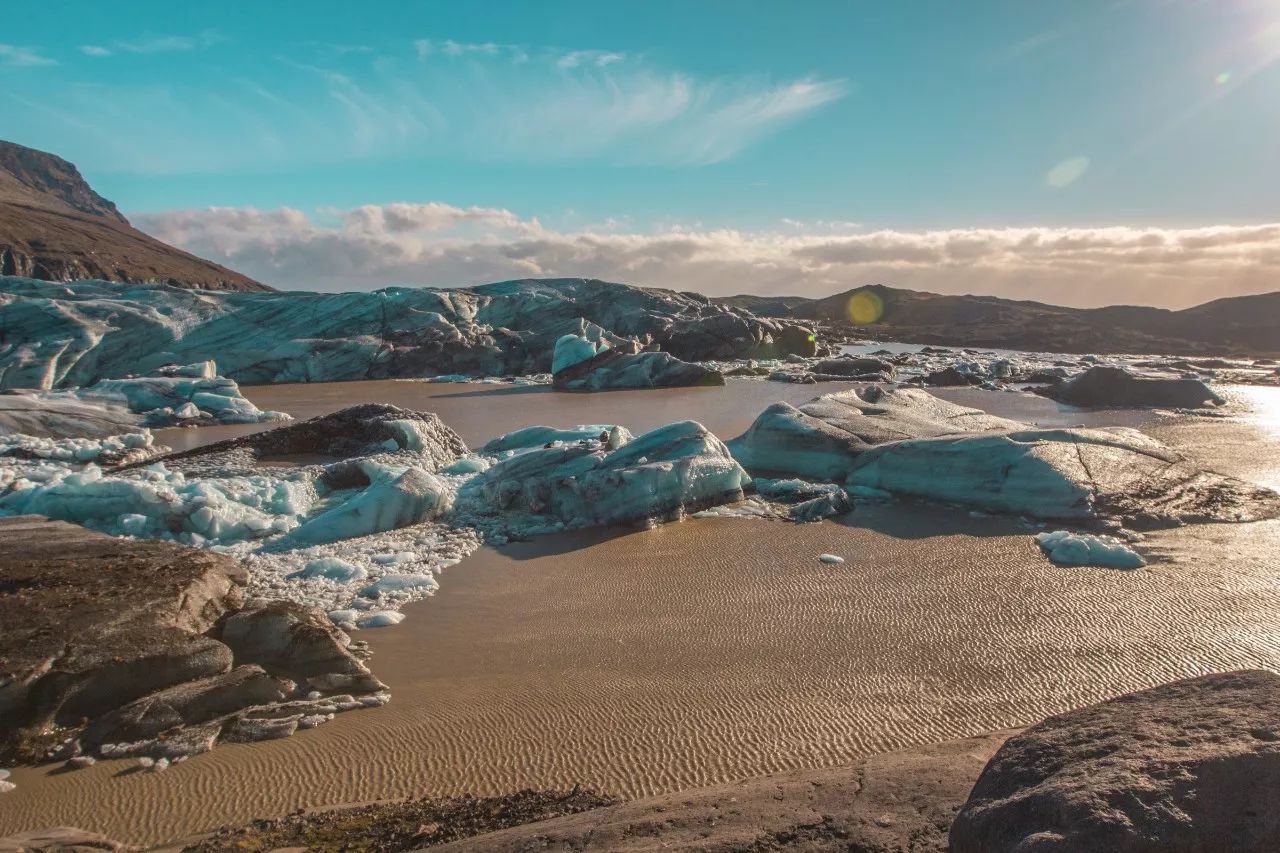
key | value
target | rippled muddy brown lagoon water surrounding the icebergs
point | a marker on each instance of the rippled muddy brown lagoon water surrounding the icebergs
(721, 649)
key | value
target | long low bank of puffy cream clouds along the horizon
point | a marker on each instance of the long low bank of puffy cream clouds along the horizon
(445, 245)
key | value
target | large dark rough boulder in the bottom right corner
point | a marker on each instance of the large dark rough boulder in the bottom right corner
(1188, 767)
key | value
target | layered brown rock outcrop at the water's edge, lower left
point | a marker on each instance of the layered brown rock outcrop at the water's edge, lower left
(143, 649)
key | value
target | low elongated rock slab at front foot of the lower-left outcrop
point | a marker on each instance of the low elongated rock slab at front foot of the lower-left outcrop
(184, 705)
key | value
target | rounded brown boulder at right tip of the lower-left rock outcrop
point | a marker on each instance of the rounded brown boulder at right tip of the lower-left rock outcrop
(298, 642)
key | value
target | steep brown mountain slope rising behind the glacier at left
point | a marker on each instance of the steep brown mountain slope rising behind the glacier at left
(56, 227)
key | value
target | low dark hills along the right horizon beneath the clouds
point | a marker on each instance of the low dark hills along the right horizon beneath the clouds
(1241, 325)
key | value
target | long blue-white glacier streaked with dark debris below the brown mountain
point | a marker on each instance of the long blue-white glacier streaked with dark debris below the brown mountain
(74, 335)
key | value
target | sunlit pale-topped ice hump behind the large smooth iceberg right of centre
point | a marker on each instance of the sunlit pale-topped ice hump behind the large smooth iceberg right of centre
(824, 439)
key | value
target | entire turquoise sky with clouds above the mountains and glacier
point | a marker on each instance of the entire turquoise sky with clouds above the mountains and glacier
(1082, 153)
